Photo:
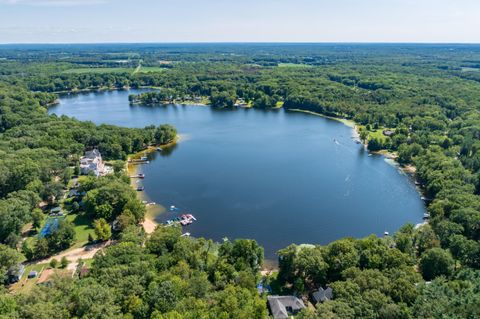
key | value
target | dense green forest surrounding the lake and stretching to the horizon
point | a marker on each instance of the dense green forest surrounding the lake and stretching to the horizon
(427, 96)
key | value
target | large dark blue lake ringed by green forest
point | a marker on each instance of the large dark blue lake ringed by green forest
(275, 176)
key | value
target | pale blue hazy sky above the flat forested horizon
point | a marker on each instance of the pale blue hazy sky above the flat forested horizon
(133, 21)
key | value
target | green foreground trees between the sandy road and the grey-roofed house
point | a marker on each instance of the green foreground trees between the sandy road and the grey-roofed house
(164, 276)
